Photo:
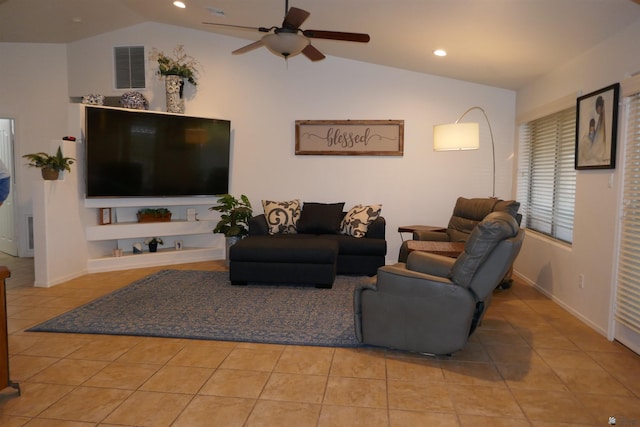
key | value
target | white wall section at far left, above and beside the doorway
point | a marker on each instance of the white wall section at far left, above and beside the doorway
(34, 92)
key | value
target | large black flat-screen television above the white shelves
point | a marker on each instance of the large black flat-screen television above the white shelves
(133, 153)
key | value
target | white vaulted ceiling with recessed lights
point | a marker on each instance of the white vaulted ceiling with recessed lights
(502, 43)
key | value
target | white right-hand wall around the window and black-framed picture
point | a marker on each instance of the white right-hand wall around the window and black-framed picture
(555, 268)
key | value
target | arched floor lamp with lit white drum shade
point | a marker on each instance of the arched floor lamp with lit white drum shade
(463, 136)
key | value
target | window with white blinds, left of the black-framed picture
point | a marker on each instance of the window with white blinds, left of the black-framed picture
(547, 177)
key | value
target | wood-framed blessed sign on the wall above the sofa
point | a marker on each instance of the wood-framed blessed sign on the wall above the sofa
(350, 137)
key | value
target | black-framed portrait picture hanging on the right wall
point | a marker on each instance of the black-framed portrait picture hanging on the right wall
(597, 128)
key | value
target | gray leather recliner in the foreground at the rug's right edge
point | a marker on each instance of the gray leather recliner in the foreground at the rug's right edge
(432, 304)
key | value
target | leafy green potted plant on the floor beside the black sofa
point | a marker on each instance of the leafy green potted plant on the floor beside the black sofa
(234, 221)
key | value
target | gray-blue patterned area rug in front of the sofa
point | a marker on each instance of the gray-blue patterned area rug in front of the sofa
(204, 305)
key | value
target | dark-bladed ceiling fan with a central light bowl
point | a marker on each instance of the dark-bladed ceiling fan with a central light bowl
(290, 40)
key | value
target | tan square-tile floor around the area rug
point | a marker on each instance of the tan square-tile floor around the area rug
(530, 364)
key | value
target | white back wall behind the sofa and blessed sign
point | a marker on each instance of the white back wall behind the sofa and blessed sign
(263, 95)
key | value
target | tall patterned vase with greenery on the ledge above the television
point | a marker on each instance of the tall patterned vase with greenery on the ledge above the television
(175, 70)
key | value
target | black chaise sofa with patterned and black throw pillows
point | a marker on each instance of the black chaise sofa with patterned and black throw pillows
(294, 244)
